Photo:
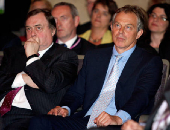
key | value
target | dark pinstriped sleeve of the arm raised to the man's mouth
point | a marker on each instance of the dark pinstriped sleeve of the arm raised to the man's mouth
(55, 72)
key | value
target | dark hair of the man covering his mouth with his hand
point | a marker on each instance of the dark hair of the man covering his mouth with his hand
(47, 14)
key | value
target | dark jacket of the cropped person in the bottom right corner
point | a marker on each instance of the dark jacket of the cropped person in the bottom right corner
(165, 96)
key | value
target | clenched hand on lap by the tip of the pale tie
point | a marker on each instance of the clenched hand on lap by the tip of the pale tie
(104, 119)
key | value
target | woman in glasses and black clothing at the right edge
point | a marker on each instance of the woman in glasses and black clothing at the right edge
(158, 34)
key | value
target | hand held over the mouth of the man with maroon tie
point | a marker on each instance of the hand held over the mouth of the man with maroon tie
(32, 46)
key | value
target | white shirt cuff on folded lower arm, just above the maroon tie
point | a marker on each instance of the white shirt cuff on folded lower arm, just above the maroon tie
(18, 81)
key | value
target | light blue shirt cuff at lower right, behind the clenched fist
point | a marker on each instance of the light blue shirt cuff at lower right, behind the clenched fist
(123, 115)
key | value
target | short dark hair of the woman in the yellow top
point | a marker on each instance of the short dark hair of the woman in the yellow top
(112, 6)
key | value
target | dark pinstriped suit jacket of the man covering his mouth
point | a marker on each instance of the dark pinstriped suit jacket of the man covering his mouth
(53, 74)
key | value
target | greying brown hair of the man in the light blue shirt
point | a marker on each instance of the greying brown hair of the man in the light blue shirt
(138, 11)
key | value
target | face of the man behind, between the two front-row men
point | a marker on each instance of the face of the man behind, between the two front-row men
(65, 23)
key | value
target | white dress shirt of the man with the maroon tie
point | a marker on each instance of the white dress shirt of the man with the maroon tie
(20, 99)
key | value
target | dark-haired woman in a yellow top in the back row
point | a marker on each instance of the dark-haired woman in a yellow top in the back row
(102, 13)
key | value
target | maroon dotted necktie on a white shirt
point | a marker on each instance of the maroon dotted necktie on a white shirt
(6, 105)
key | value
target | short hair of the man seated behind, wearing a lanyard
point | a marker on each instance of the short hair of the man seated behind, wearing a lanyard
(73, 9)
